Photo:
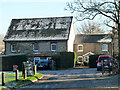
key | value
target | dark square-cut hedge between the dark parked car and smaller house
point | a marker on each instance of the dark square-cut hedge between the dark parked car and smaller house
(64, 60)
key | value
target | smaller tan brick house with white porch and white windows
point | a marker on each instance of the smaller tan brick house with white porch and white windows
(90, 44)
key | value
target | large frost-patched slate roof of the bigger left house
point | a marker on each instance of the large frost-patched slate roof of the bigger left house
(51, 28)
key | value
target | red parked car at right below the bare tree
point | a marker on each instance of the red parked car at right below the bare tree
(103, 57)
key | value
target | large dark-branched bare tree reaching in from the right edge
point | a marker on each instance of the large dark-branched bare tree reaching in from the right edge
(91, 8)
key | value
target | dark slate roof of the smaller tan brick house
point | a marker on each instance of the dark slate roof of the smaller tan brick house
(92, 38)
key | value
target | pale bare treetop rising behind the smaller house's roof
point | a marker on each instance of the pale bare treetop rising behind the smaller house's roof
(90, 27)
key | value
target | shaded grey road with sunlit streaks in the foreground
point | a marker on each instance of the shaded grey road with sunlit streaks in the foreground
(74, 78)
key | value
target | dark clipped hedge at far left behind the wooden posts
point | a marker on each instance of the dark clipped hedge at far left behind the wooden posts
(9, 60)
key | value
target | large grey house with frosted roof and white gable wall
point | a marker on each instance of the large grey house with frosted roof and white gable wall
(40, 36)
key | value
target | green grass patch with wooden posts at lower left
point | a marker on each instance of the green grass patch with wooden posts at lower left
(11, 82)
